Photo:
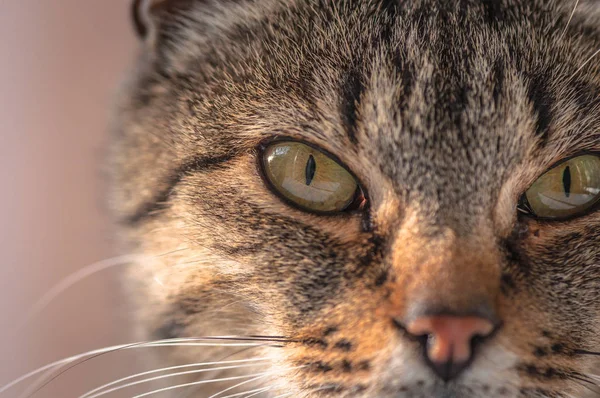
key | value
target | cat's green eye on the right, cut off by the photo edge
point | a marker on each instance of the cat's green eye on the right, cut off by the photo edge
(567, 190)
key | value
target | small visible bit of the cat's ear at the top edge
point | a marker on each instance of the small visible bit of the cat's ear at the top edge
(147, 15)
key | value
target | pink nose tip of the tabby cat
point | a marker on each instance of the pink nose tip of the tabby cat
(450, 341)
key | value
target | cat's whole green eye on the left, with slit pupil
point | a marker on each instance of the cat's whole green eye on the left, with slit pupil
(309, 178)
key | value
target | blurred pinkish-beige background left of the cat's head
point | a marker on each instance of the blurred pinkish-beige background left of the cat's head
(61, 64)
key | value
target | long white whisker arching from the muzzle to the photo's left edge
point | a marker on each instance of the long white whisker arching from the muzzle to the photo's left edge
(87, 356)
